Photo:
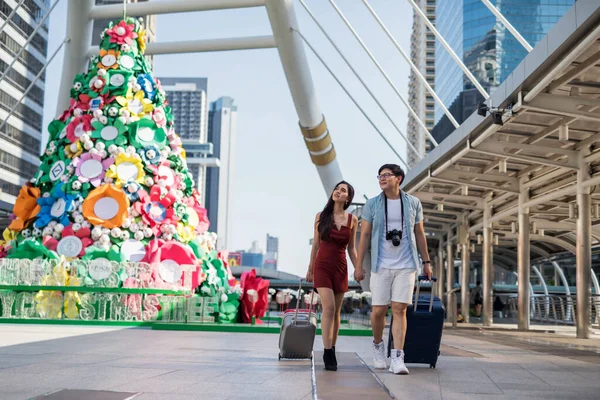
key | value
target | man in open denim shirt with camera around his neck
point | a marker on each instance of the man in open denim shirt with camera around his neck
(394, 221)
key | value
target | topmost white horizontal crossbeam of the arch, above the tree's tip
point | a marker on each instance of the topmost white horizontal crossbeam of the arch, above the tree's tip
(155, 7)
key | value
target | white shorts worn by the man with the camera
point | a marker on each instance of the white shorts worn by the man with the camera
(392, 285)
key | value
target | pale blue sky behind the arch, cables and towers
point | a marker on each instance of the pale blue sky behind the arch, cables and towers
(276, 189)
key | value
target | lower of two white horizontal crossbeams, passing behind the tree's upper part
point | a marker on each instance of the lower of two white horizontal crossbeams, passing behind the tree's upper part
(207, 45)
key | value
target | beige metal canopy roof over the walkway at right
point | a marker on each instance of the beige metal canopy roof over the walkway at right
(553, 131)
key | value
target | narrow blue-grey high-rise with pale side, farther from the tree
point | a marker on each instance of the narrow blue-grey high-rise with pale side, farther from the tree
(222, 127)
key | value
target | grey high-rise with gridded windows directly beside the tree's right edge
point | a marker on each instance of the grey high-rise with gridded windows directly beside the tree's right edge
(188, 99)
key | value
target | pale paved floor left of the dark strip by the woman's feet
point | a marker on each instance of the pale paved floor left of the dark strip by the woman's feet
(161, 364)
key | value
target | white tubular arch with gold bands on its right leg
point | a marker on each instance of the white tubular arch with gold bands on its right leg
(81, 14)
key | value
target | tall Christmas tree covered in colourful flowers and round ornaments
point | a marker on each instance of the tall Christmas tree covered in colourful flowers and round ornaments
(113, 184)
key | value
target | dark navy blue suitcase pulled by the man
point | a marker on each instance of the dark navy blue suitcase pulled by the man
(425, 322)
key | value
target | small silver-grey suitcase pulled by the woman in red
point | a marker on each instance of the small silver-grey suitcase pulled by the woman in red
(298, 330)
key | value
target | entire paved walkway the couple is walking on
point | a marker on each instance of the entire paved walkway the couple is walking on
(181, 365)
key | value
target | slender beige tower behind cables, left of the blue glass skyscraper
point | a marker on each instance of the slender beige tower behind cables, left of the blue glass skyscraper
(422, 51)
